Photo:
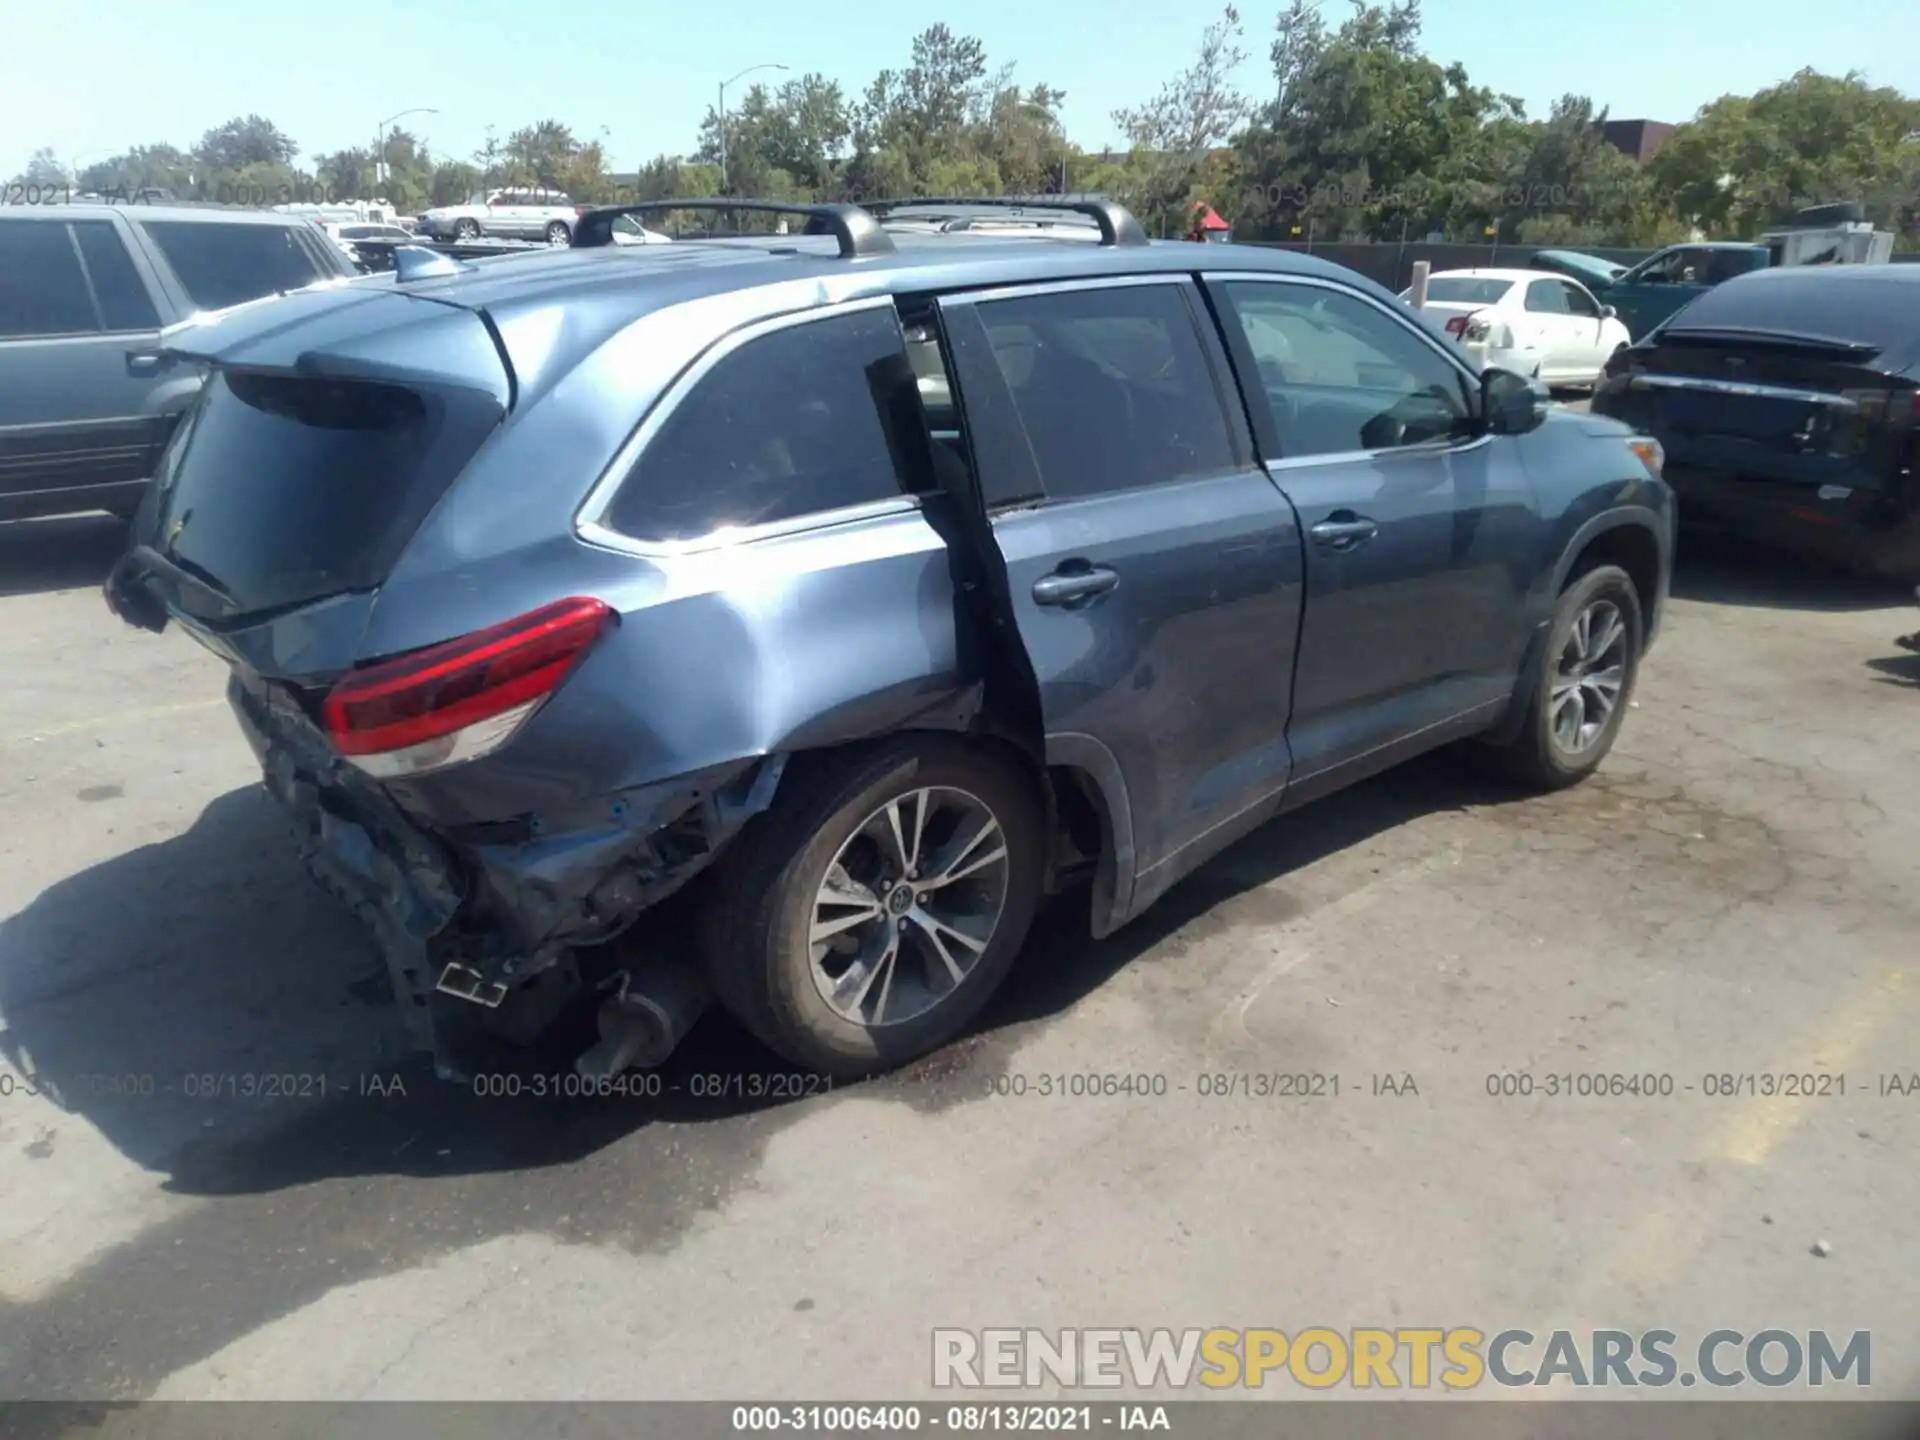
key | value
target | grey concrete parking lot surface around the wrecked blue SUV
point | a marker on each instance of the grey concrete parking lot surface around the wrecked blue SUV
(1731, 898)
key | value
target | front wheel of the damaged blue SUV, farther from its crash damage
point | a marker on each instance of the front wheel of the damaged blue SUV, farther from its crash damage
(1583, 684)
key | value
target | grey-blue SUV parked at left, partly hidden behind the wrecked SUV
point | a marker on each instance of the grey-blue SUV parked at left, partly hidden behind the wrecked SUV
(85, 291)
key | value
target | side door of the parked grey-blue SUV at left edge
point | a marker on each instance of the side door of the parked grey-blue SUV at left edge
(80, 368)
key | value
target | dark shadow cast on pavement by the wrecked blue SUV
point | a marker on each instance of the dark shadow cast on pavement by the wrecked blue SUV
(168, 990)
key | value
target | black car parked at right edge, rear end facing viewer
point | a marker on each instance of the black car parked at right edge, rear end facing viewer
(1788, 404)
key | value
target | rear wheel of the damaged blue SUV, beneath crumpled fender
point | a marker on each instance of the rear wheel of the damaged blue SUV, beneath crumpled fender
(876, 907)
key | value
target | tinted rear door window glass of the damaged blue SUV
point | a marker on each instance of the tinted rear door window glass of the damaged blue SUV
(1111, 387)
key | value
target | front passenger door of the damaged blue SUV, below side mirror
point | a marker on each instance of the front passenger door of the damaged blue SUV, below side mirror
(1422, 529)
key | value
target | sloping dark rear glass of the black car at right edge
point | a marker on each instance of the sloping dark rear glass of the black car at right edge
(1871, 310)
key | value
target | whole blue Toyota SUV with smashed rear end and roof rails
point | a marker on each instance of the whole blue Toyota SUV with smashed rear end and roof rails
(855, 592)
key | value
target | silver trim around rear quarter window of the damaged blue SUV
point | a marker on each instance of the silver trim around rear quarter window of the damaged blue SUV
(590, 521)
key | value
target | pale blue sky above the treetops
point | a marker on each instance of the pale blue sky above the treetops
(91, 78)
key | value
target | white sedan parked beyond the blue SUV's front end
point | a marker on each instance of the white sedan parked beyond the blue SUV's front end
(1541, 325)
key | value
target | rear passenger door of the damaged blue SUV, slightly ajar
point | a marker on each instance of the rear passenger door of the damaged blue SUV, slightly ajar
(1153, 567)
